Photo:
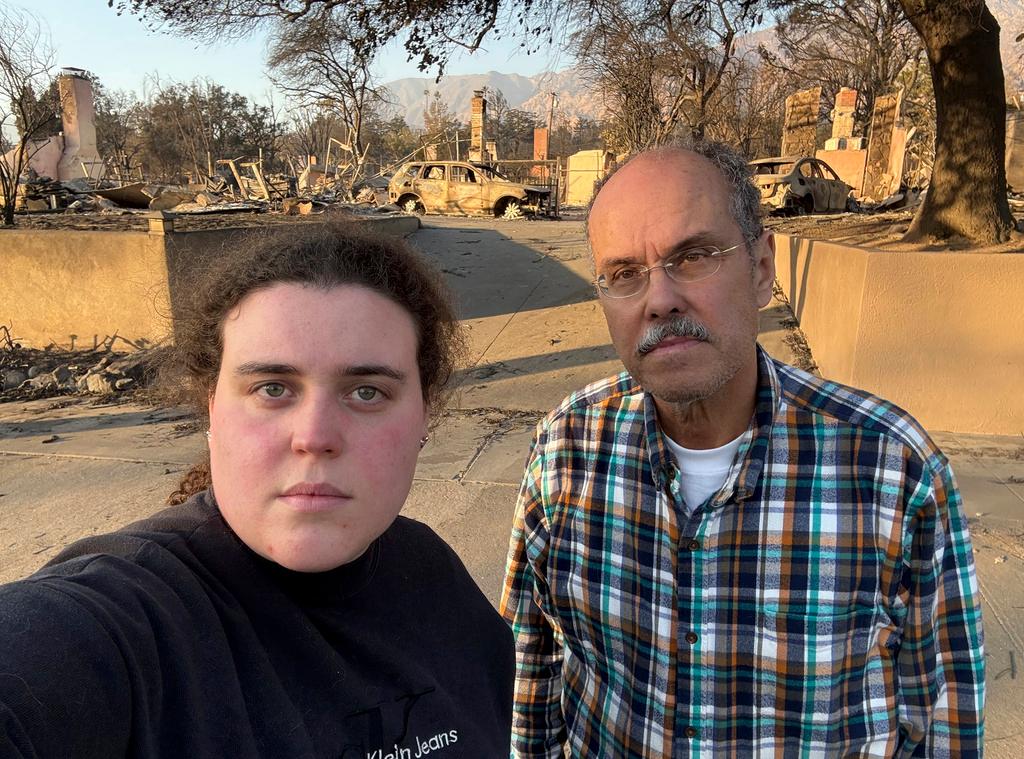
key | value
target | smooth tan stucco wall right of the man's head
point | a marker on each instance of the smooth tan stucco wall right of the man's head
(940, 334)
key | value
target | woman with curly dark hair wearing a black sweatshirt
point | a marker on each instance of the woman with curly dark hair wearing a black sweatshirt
(286, 611)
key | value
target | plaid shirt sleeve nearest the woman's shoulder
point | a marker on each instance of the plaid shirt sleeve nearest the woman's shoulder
(538, 724)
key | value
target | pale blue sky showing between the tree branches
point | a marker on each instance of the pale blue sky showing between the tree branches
(87, 34)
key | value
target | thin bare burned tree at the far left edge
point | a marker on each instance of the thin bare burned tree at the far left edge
(26, 68)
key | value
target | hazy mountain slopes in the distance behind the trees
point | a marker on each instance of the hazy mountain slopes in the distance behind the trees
(578, 99)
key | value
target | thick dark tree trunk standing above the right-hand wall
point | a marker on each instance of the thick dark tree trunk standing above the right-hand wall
(968, 192)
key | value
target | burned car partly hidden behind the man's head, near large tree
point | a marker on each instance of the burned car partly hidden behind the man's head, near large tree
(799, 186)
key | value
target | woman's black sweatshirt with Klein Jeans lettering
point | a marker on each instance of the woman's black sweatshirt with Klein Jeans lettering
(173, 639)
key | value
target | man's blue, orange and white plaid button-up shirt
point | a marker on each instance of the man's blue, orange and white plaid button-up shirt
(824, 603)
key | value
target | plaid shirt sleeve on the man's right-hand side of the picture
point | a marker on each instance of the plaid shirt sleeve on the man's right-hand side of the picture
(942, 658)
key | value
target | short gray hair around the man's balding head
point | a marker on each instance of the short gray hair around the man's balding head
(745, 199)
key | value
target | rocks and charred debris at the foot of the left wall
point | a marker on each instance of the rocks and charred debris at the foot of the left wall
(28, 374)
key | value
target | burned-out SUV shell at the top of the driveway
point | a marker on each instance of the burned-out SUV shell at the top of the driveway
(463, 188)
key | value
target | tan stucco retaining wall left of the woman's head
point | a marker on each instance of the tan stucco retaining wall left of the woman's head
(55, 284)
